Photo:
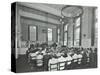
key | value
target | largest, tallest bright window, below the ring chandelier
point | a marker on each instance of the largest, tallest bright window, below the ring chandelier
(77, 32)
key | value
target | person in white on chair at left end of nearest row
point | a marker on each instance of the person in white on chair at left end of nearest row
(53, 61)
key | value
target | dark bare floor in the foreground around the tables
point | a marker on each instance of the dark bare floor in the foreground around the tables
(23, 66)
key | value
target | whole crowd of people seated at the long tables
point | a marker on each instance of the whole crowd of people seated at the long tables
(57, 57)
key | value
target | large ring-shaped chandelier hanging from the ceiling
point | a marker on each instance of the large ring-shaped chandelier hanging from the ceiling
(71, 11)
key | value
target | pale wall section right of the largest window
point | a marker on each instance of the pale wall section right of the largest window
(87, 27)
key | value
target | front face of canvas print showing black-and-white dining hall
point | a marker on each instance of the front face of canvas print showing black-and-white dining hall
(51, 36)
